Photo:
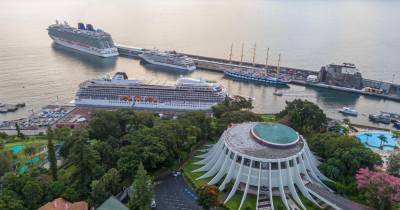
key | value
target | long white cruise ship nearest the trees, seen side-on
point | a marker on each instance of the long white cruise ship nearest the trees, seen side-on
(186, 95)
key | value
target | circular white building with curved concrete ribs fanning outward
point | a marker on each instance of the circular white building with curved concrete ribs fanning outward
(264, 159)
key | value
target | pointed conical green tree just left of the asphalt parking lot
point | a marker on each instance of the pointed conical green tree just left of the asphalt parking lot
(142, 190)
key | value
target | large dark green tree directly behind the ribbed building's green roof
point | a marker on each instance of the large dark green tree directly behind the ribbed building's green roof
(304, 116)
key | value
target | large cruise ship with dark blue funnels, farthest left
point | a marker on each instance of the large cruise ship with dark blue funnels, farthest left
(84, 38)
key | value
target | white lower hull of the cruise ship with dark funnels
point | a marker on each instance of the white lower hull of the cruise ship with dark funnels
(108, 52)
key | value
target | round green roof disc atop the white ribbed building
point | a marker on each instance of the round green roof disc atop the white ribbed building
(275, 134)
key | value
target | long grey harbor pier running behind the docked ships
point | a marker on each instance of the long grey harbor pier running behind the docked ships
(374, 88)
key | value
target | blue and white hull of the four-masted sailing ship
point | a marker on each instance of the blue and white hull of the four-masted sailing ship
(255, 75)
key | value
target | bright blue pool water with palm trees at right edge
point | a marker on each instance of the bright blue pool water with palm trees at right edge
(371, 139)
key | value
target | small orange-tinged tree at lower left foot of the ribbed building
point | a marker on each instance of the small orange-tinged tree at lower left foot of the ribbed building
(208, 196)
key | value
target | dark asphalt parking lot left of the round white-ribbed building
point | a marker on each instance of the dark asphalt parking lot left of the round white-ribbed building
(172, 193)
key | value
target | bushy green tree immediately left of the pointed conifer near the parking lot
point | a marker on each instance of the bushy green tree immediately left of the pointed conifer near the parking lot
(109, 184)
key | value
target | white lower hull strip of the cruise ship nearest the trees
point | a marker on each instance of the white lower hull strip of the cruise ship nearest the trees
(178, 106)
